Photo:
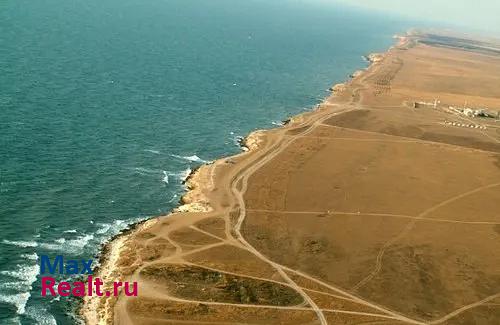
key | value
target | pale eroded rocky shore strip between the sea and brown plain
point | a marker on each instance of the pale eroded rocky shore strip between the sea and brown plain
(99, 310)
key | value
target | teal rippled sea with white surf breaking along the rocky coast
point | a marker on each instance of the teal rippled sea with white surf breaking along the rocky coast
(107, 105)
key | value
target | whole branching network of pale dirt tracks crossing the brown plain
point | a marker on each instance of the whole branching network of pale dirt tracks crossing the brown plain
(234, 184)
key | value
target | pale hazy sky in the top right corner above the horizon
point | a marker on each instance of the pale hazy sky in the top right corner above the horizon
(476, 14)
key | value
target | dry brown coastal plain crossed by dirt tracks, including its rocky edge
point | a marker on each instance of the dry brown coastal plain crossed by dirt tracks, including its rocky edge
(377, 207)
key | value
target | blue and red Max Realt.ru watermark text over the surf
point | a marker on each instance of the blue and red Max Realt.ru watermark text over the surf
(78, 268)
